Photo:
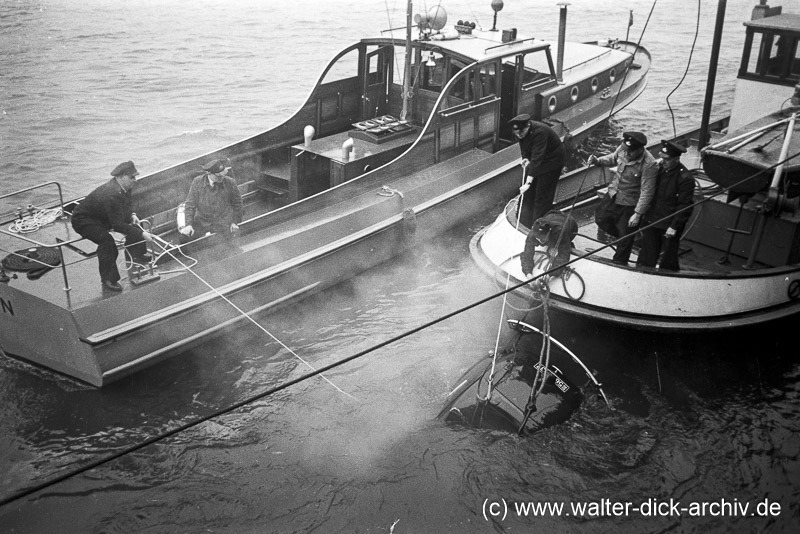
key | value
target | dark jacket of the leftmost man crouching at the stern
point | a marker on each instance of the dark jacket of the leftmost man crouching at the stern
(109, 206)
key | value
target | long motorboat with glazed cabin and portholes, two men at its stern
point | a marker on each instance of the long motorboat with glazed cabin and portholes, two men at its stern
(404, 135)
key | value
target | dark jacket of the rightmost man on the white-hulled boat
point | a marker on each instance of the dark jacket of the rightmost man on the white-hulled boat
(674, 191)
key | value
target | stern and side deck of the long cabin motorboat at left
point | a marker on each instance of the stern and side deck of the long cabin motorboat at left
(82, 286)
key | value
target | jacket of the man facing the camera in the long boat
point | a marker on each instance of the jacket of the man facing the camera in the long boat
(213, 207)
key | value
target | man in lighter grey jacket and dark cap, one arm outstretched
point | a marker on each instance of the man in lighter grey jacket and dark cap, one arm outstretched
(630, 193)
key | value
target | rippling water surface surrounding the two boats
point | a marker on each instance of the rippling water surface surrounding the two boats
(696, 419)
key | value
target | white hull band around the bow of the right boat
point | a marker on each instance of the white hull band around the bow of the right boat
(645, 299)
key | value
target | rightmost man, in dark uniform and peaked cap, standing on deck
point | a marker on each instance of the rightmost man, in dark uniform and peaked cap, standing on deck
(669, 212)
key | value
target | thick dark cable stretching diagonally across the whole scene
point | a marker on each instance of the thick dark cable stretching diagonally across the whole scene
(222, 411)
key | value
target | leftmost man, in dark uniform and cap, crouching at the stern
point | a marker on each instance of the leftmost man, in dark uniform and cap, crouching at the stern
(109, 208)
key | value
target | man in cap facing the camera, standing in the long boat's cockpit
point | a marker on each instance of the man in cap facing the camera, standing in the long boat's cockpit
(213, 204)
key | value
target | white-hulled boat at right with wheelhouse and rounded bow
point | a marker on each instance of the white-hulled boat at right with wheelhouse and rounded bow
(740, 251)
